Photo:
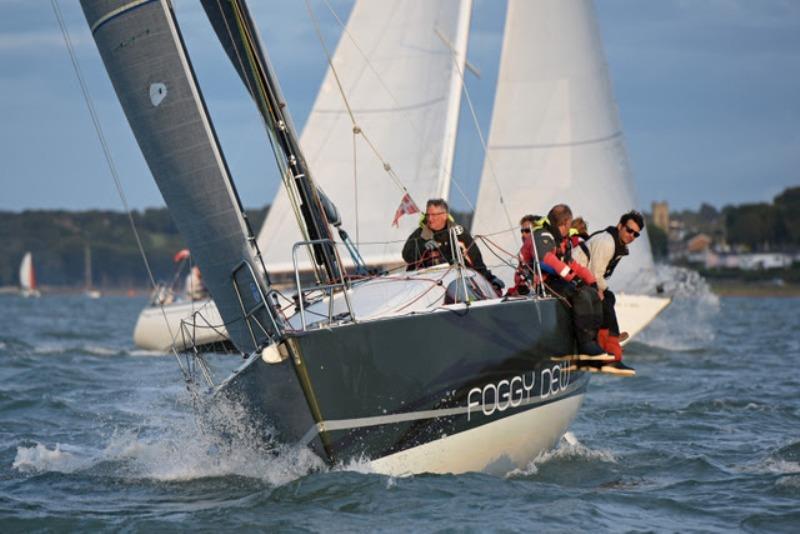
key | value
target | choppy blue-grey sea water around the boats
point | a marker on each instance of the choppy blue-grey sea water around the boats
(97, 435)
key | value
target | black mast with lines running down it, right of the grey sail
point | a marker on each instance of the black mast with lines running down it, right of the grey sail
(235, 28)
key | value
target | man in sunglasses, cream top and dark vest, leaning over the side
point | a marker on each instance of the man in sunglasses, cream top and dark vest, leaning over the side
(605, 250)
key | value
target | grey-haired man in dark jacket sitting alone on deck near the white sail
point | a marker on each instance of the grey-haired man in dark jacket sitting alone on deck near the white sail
(430, 243)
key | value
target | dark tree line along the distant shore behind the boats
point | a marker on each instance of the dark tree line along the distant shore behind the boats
(58, 239)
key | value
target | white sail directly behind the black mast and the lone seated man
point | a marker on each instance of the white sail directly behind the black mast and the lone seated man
(399, 65)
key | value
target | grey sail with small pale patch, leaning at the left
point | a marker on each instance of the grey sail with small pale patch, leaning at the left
(143, 52)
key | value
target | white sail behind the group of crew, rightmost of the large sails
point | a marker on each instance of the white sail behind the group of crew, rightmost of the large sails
(555, 135)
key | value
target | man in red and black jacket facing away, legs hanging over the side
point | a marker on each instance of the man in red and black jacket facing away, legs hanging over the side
(550, 244)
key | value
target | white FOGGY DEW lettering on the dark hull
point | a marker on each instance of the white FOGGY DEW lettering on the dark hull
(509, 393)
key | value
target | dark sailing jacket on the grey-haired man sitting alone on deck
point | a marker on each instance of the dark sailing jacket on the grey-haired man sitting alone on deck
(425, 248)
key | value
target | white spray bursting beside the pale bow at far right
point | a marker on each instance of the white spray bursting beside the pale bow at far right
(688, 322)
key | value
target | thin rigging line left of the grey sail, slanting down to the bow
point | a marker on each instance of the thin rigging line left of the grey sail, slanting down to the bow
(112, 167)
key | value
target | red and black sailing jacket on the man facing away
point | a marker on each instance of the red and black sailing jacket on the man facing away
(555, 256)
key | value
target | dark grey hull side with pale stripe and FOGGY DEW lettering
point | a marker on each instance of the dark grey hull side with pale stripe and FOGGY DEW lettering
(373, 389)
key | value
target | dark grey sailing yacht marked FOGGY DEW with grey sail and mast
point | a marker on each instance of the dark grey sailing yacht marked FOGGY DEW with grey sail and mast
(417, 372)
